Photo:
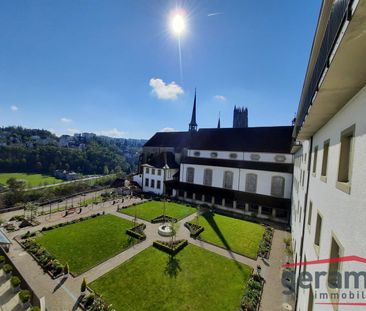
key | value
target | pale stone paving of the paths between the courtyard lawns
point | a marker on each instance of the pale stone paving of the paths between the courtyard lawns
(62, 294)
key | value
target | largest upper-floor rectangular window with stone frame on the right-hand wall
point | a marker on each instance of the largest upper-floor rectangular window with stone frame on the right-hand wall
(345, 159)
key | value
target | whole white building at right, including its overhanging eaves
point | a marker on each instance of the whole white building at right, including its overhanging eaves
(329, 197)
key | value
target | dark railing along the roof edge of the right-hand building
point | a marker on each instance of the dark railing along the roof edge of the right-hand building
(338, 15)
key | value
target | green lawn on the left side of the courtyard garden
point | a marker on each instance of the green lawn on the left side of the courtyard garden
(87, 243)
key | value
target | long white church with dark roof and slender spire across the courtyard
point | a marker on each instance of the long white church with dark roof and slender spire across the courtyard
(246, 171)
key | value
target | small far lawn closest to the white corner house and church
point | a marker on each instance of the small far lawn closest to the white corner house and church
(152, 209)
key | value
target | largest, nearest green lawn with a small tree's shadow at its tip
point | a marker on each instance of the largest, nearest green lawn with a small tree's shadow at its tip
(196, 280)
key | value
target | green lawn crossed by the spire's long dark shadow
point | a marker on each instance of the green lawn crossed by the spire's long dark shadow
(237, 235)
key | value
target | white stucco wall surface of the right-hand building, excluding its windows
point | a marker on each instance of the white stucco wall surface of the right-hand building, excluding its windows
(343, 214)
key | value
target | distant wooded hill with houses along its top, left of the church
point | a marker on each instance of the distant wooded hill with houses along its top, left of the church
(40, 151)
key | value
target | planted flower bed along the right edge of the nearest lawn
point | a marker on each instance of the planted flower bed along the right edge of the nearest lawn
(253, 293)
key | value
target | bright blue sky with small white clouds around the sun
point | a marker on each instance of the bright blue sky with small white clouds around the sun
(108, 66)
